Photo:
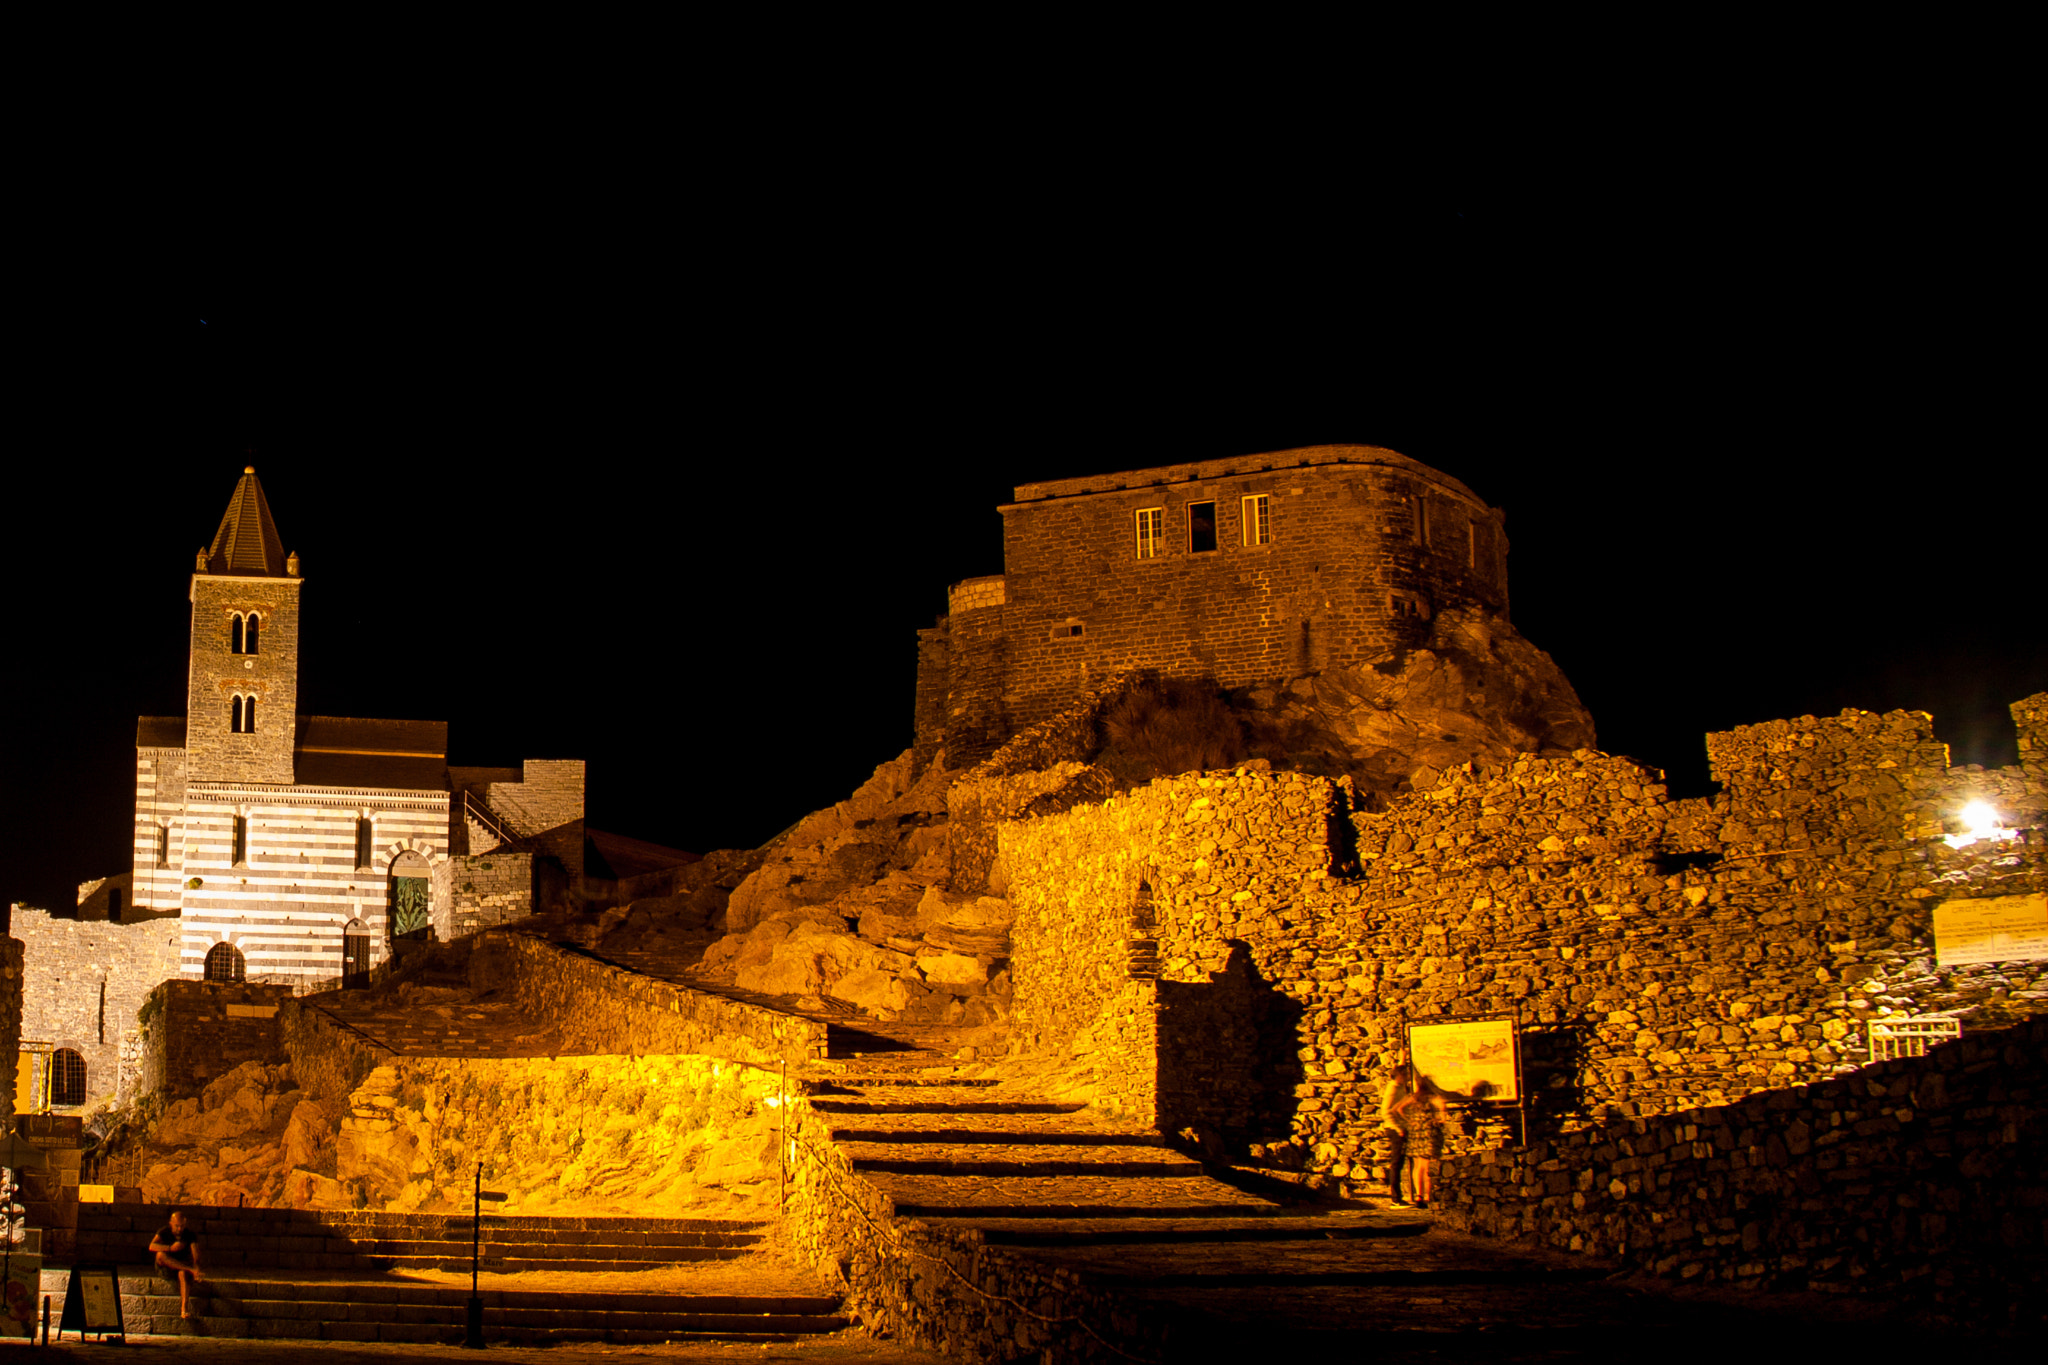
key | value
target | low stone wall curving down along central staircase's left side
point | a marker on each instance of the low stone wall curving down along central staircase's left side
(947, 1290)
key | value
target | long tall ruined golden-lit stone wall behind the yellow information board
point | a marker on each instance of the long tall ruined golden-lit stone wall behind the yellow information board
(1658, 955)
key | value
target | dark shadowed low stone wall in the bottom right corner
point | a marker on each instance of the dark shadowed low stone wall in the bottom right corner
(1918, 1178)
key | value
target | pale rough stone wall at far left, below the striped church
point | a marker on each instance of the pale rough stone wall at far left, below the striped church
(85, 983)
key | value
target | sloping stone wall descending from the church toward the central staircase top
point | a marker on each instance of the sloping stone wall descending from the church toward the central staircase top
(607, 1010)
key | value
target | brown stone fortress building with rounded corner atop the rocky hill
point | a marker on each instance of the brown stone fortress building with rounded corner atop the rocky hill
(1238, 570)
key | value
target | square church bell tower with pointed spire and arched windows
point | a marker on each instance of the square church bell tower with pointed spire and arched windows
(243, 699)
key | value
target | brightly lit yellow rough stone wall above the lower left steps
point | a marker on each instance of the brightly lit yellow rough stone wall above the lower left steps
(574, 1135)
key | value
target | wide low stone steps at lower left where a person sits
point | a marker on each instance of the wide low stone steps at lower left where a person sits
(335, 1276)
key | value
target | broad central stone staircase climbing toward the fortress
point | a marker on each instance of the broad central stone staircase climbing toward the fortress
(1226, 1256)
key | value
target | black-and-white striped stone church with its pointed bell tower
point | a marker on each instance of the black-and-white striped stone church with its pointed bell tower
(275, 846)
